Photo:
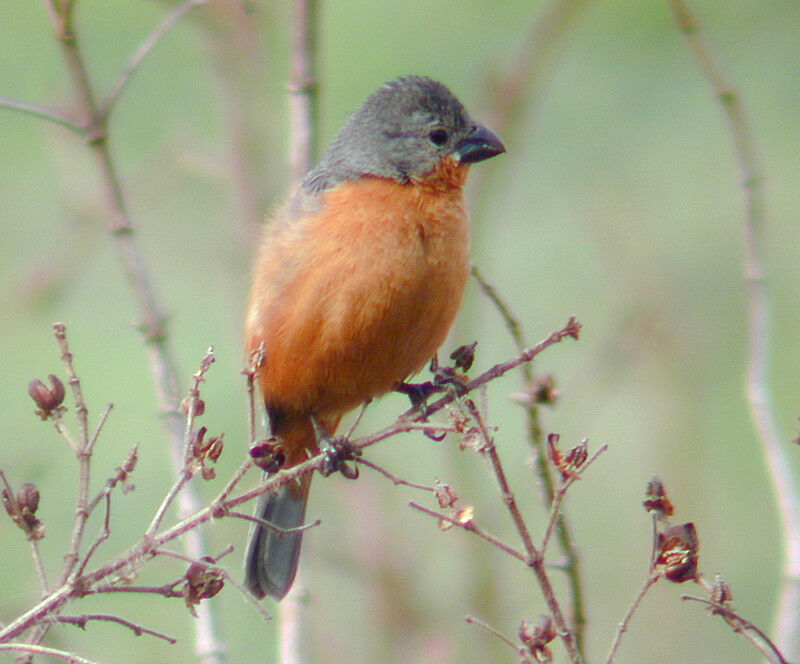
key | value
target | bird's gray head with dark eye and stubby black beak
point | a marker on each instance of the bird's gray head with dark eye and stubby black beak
(401, 132)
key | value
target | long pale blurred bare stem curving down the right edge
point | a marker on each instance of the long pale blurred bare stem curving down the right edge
(784, 482)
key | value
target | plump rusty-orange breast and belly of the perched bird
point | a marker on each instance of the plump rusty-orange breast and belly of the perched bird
(359, 296)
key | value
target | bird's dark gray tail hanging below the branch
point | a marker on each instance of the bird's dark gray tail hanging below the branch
(271, 558)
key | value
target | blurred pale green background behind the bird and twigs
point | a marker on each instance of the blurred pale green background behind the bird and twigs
(619, 201)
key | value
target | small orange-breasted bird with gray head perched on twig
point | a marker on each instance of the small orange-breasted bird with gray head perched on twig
(356, 283)
